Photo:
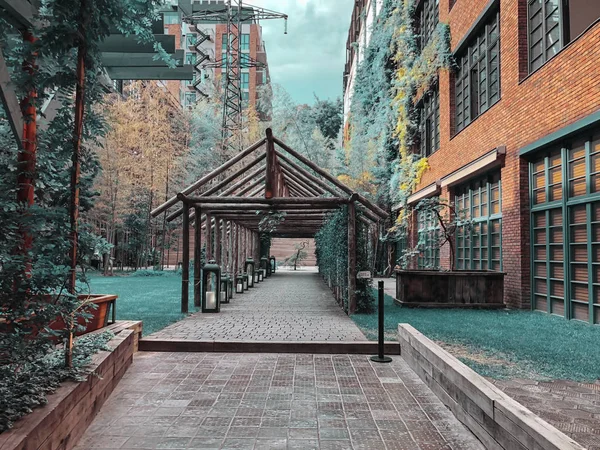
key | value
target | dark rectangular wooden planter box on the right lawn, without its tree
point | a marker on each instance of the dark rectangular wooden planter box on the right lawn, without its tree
(458, 289)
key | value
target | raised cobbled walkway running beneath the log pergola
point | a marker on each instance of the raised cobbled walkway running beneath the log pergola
(288, 306)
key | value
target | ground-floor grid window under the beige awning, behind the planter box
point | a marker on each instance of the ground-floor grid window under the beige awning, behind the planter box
(478, 245)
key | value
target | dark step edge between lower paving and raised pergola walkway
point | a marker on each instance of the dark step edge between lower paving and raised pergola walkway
(310, 347)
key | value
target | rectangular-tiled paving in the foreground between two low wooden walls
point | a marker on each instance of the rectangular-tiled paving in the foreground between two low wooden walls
(273, 401)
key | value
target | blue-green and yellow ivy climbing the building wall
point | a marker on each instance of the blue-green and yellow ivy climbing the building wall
(383, 119)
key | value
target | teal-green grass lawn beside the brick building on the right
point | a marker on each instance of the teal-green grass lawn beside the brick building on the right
(501, 343)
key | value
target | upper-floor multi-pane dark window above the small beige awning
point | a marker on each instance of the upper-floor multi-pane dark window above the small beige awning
(478, 76)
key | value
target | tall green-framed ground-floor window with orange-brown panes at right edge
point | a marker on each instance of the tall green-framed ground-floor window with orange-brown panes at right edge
(565, 199)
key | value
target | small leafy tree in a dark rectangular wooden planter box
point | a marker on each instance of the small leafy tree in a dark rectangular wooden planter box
(435, 287)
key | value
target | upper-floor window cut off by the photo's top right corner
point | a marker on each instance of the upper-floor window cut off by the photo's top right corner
(554, 23)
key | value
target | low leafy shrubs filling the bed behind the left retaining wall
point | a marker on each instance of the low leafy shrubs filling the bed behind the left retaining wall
(25, 386)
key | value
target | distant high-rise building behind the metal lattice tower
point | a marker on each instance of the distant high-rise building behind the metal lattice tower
(204, 46)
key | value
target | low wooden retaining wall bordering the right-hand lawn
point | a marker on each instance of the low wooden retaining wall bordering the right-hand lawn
(497, 420)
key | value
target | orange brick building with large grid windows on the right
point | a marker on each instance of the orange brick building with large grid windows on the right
(512, 135)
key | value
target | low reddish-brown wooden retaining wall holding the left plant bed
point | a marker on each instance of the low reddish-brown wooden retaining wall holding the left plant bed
(60, 424)
